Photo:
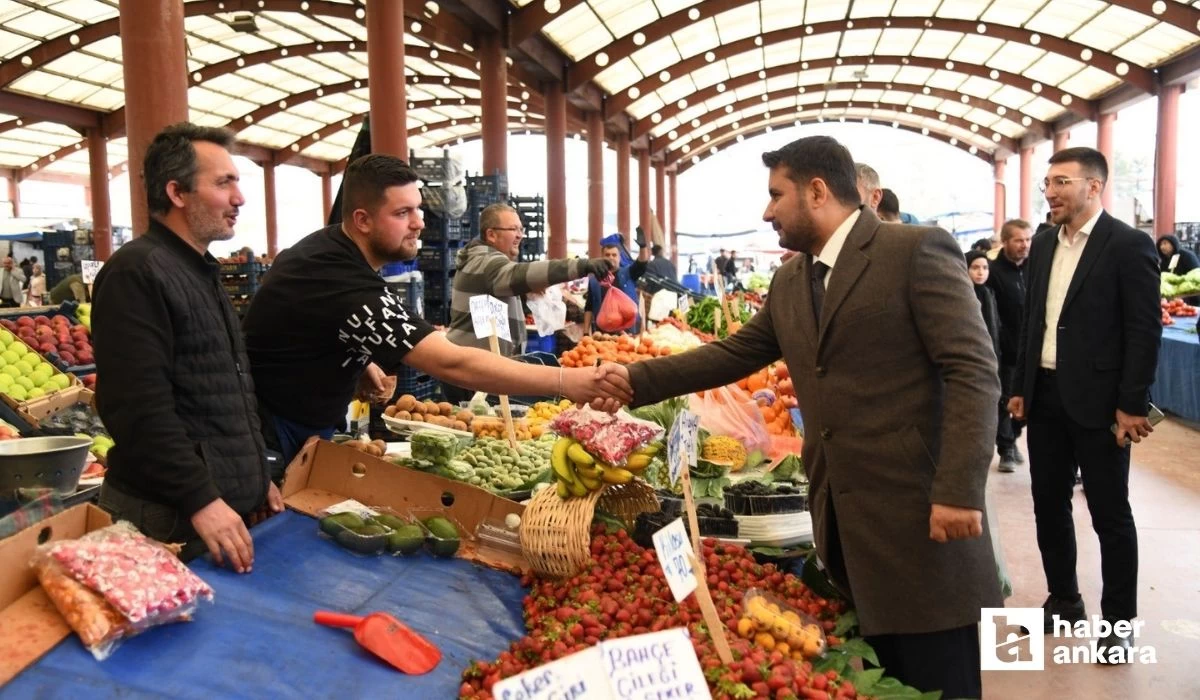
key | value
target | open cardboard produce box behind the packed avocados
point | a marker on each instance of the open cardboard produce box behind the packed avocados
(326, 474)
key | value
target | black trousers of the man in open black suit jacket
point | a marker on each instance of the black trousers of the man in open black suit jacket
(1058, 445)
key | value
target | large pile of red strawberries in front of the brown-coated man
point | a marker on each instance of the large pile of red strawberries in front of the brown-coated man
(625, 593)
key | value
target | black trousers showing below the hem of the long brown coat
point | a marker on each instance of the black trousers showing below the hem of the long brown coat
(946, 661)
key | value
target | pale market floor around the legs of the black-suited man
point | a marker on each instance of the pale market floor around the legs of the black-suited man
(1165, 490)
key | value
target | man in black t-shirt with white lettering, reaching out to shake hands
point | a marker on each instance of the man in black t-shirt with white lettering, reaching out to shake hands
(325, 326)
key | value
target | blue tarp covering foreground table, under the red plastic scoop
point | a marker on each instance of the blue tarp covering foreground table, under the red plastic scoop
(259, 641)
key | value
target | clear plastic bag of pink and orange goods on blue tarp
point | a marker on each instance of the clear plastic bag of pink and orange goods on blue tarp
(116, 583)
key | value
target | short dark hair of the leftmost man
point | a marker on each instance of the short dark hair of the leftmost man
(172, 157)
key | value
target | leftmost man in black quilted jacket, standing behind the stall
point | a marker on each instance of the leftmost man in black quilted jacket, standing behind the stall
(189, 464)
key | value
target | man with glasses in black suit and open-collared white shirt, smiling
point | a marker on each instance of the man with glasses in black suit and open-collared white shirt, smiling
(1088, 356)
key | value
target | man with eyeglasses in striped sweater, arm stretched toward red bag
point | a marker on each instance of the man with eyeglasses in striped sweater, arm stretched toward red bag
(488, 266)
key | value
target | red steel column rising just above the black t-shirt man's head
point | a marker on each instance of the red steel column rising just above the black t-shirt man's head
(386, 79)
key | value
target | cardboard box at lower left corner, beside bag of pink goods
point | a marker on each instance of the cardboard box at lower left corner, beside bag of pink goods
(31, 625)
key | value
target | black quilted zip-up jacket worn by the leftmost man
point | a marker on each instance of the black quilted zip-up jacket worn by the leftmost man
(178, 397)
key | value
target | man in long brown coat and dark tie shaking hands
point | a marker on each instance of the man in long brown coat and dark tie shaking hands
(898, 388)
